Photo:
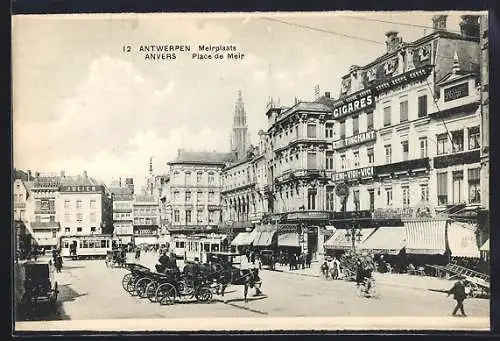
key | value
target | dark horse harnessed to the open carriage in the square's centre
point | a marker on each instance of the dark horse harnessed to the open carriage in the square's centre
(234, 276)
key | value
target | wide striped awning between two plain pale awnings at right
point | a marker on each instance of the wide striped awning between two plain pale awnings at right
(426, 237)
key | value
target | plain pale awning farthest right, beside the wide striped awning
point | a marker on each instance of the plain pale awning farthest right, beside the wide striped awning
(462, 240)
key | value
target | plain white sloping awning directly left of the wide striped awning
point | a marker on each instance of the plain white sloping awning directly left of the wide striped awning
(387, 240)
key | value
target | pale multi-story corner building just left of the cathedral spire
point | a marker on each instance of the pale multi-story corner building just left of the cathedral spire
(195, 187)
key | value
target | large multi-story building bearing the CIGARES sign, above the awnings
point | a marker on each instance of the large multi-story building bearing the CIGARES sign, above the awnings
(394, 114)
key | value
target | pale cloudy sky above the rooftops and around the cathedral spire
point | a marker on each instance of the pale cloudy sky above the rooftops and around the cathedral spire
(81, 103)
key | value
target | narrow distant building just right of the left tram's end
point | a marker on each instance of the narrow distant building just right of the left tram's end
(123, 219)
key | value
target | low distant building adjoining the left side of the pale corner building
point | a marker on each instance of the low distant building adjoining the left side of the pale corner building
(146, 219)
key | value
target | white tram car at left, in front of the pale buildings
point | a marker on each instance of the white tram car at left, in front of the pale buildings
(94, 246)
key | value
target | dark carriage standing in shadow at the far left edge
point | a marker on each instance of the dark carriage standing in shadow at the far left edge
(39, 283)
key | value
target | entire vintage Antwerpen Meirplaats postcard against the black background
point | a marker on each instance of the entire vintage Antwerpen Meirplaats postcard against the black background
(251, 171)
